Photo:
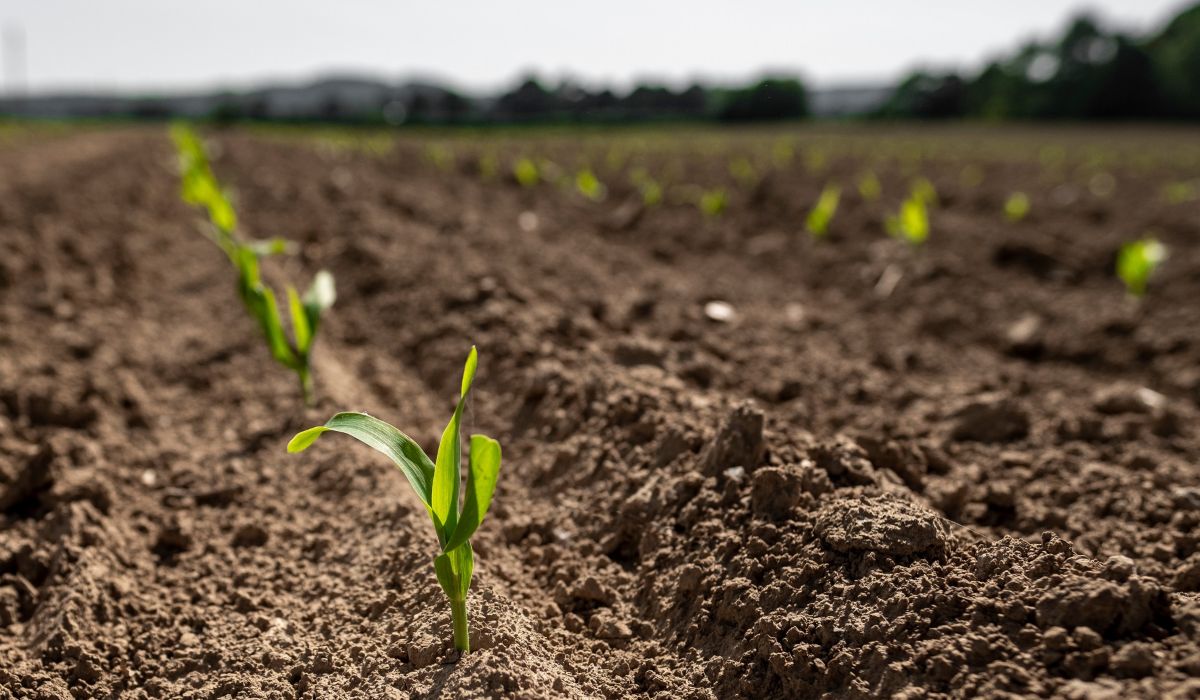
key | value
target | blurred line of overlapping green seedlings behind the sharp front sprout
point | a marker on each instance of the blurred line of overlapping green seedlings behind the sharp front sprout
(202, 189)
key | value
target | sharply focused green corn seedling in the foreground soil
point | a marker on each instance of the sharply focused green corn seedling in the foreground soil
(436, 483)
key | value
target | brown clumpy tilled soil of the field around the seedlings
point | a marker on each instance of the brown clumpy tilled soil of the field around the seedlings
(985, 483)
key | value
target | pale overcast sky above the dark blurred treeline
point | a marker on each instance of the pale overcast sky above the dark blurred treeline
(476, 45)
